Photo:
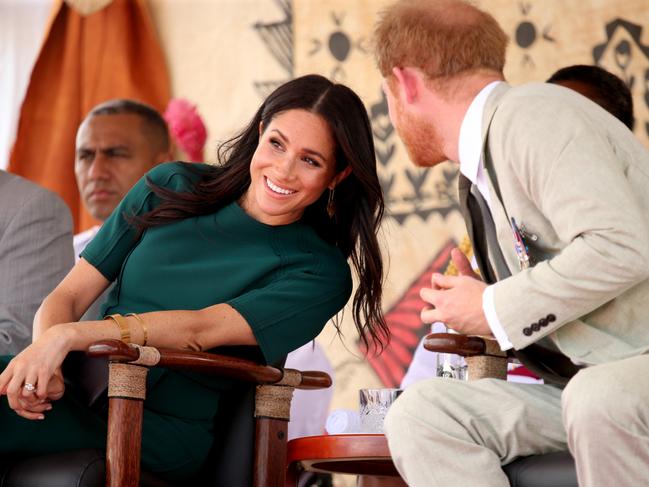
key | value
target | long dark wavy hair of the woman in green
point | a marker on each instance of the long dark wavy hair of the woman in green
(358, 198)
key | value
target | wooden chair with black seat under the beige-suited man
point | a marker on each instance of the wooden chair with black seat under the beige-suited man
(485, 360)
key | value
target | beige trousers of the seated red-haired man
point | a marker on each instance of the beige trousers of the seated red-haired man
(443, 432)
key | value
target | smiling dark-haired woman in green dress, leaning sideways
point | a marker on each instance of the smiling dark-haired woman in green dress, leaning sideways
(252, 251)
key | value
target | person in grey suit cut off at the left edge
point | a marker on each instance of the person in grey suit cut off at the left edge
(35, 255)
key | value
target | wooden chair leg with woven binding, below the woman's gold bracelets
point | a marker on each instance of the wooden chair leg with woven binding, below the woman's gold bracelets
(126, 391)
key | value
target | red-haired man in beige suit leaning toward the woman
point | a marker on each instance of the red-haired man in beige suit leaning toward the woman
(553, 190)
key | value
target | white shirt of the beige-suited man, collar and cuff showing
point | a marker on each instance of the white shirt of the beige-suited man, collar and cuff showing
(472, 167)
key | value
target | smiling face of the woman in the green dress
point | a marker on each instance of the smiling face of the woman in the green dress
(291, 167)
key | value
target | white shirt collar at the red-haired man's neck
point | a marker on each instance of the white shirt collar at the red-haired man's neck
(470, 141)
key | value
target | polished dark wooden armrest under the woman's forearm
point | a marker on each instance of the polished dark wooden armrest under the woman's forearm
(209, 363)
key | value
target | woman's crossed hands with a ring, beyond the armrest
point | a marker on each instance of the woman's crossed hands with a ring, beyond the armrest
(38, 366)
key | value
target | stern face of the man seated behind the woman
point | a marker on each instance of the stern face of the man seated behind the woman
(112, 154)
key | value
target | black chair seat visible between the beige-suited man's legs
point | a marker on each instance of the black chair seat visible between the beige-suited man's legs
(549, 470)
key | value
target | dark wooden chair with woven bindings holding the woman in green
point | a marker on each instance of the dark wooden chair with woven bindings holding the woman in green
(128, 366)
